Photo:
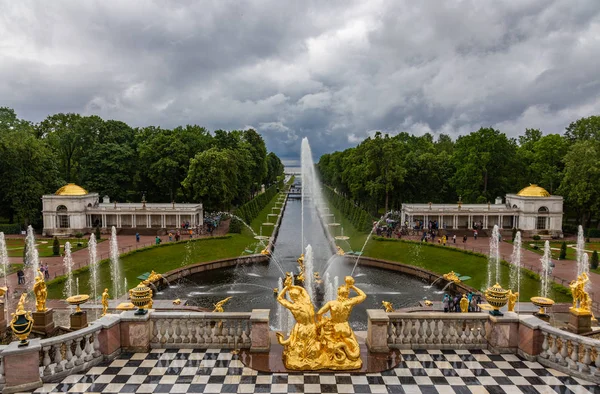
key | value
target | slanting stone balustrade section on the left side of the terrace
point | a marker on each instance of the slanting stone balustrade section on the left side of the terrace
(70, 353)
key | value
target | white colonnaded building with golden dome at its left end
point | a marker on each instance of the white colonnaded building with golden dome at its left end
(72, 210)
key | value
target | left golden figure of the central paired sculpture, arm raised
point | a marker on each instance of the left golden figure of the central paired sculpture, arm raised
(301, 350)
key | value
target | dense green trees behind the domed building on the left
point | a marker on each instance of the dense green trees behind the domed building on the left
(223, 169)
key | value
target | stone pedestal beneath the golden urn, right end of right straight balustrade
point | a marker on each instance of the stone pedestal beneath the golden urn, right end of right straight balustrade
(503, 333)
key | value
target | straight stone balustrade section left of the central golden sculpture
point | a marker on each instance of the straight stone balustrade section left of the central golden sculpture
(229, 330)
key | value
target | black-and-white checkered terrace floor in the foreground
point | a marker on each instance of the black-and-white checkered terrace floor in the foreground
(219, 371)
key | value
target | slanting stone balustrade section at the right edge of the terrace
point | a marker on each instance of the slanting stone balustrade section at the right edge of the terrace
(573, 354)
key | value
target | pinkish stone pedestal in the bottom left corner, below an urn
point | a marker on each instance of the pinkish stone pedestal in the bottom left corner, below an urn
(22, 367)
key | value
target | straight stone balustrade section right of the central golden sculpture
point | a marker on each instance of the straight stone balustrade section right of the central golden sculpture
(437, 330)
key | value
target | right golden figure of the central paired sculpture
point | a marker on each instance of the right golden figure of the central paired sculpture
(341, 347)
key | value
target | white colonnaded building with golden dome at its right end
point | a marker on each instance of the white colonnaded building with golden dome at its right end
(533, 211)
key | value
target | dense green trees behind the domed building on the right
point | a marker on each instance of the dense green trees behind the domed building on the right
(383, 171)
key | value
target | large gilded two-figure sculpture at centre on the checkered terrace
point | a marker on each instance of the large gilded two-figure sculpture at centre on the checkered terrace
(316, 341)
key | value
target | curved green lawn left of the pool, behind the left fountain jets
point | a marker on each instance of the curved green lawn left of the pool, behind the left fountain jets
(161, 258)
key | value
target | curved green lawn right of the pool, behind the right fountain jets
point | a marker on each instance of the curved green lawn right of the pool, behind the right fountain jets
(442, 260)
